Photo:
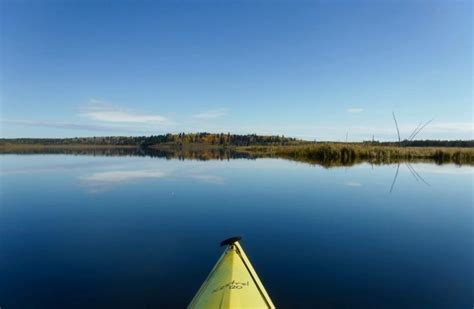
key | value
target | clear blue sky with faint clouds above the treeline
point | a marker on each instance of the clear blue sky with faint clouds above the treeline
(313, 69)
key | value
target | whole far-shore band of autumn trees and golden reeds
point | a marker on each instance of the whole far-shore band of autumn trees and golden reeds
(207, 146)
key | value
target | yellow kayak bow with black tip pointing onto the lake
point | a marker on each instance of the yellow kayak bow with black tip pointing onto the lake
(232, 283)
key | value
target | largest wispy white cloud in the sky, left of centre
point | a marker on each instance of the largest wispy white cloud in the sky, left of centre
(105, 112)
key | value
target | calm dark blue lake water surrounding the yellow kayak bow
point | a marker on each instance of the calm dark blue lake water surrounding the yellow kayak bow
(141, 232)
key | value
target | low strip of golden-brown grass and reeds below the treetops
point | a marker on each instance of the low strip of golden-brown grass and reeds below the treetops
(327, 154)
